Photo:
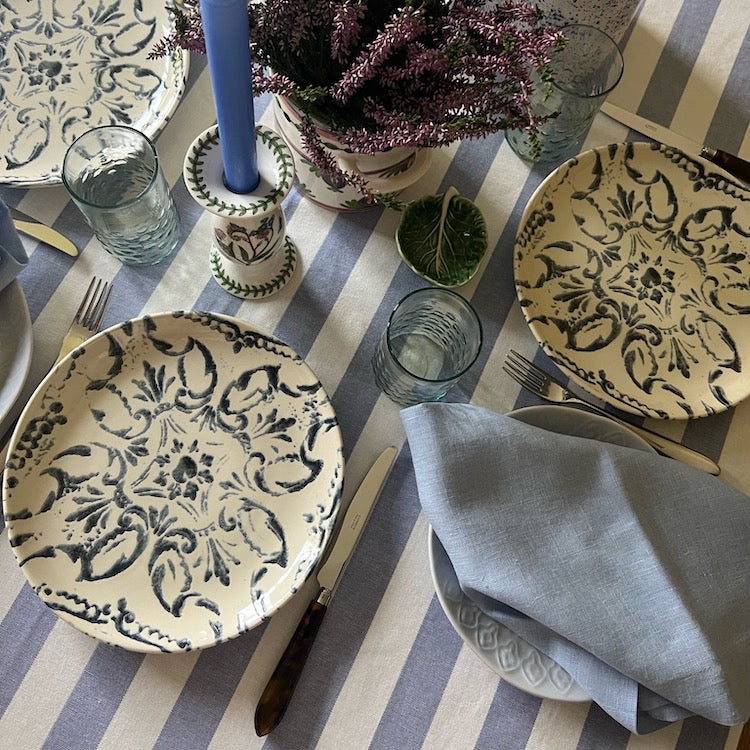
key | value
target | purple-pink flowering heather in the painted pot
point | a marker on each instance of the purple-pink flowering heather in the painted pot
(381, 74)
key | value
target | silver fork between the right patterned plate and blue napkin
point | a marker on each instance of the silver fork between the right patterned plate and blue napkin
(541, 383)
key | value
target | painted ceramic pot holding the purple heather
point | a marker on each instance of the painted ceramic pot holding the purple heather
(388, 172)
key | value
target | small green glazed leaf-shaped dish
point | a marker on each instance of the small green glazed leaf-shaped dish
(442, 238)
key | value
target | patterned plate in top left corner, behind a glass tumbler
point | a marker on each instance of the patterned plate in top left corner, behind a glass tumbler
(69, 65)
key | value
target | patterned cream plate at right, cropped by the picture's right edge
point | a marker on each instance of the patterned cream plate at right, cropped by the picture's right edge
(632, 266)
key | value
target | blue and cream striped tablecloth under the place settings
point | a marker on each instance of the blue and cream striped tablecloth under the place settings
(387, 670)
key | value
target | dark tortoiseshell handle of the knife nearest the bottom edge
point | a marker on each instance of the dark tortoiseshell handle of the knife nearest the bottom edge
(278, 692)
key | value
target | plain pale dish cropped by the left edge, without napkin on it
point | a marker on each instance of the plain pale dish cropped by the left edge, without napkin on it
(16, 348)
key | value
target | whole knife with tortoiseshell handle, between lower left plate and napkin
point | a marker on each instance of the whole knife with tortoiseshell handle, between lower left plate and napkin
(278, 692)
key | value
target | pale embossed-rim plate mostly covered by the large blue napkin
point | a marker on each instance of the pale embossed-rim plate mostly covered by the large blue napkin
(516, 661)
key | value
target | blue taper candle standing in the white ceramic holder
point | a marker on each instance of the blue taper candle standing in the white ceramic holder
(226, 29)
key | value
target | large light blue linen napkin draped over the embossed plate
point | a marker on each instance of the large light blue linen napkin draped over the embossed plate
(629, 569)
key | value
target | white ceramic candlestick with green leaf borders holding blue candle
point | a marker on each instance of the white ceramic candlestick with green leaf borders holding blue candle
(251, 257)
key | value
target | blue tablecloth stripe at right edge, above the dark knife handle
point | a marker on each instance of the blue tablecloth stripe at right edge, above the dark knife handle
(734, 105)
